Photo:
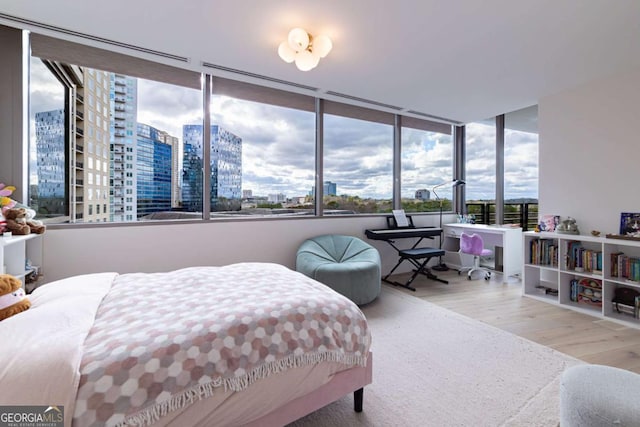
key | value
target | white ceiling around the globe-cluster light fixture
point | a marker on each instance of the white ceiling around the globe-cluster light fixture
(463, 60)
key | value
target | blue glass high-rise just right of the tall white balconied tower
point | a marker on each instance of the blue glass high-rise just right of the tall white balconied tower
(153, 170)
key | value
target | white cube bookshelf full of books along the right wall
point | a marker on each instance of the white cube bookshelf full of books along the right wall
(550, 282)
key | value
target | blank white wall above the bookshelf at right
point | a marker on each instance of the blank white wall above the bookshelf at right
(590, 152)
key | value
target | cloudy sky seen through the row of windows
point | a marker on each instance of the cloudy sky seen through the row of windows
(278, 145)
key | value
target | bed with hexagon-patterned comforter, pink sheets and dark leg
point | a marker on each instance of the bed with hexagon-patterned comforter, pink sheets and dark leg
(243, 344)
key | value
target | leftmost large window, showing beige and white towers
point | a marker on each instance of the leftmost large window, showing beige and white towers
(108, 143)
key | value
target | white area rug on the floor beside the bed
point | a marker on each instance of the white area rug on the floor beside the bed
(434, 367)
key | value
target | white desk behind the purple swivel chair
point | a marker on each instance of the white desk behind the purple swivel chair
(509, 239)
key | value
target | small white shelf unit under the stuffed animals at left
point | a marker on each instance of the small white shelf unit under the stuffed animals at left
(16, 250)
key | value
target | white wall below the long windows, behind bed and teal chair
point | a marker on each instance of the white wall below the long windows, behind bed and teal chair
(164, 247)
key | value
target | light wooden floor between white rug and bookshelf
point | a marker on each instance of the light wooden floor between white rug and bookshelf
(502, 305)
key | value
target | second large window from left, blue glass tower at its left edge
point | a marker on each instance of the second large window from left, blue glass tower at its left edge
(273, 174)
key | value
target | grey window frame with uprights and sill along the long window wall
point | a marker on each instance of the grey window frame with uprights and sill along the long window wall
(53, 48)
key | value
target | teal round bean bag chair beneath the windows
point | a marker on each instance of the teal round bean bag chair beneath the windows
(346, 264)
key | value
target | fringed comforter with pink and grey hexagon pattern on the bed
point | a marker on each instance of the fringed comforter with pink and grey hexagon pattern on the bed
(162, 341)
